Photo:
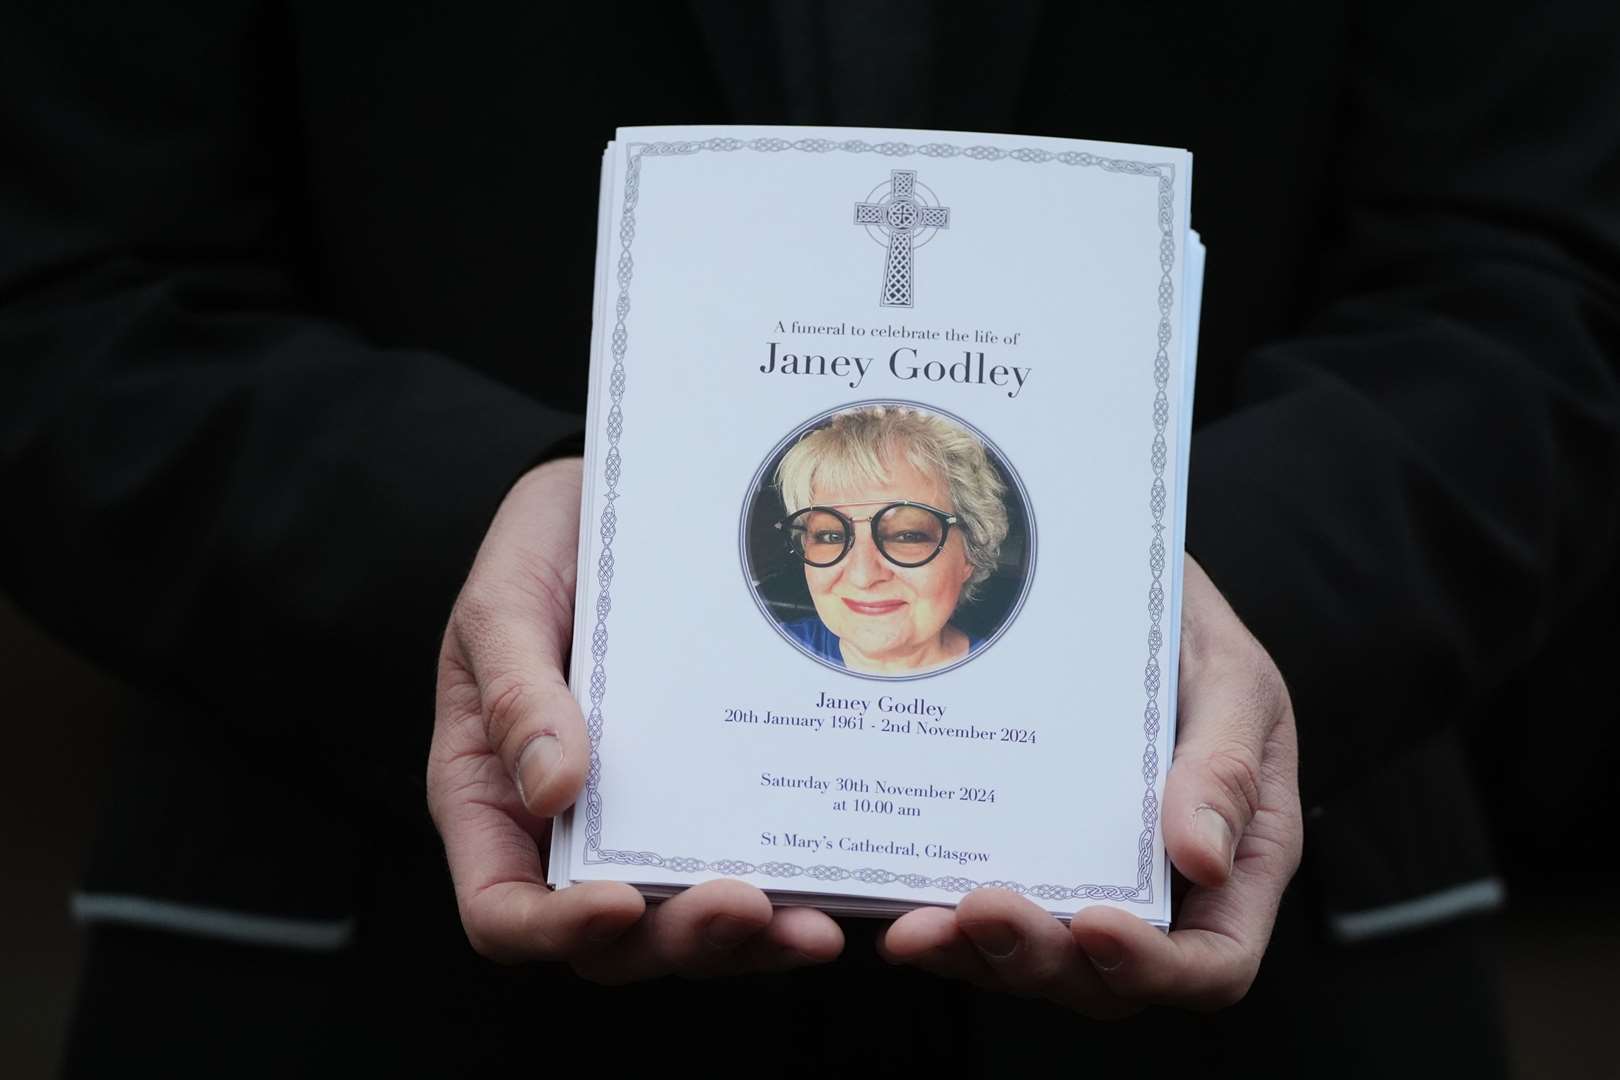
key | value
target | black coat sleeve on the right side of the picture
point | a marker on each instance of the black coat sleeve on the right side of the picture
(1422, 487)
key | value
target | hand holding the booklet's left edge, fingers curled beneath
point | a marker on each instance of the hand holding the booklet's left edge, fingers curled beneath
(509, 752)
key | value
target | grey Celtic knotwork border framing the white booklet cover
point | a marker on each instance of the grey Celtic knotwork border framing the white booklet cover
(1164, 172)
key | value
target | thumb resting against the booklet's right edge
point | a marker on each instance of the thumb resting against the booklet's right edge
(1230, 700)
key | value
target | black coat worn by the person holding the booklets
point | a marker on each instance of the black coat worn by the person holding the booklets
(292, 292)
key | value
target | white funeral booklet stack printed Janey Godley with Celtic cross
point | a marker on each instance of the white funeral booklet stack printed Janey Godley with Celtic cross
(880, 551)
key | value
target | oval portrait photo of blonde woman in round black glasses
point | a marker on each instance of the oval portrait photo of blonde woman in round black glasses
(889, 540)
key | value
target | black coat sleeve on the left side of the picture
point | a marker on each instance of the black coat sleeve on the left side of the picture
(210, 490)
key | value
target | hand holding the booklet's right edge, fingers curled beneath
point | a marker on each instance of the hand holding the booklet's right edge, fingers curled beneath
(1234, 830)
